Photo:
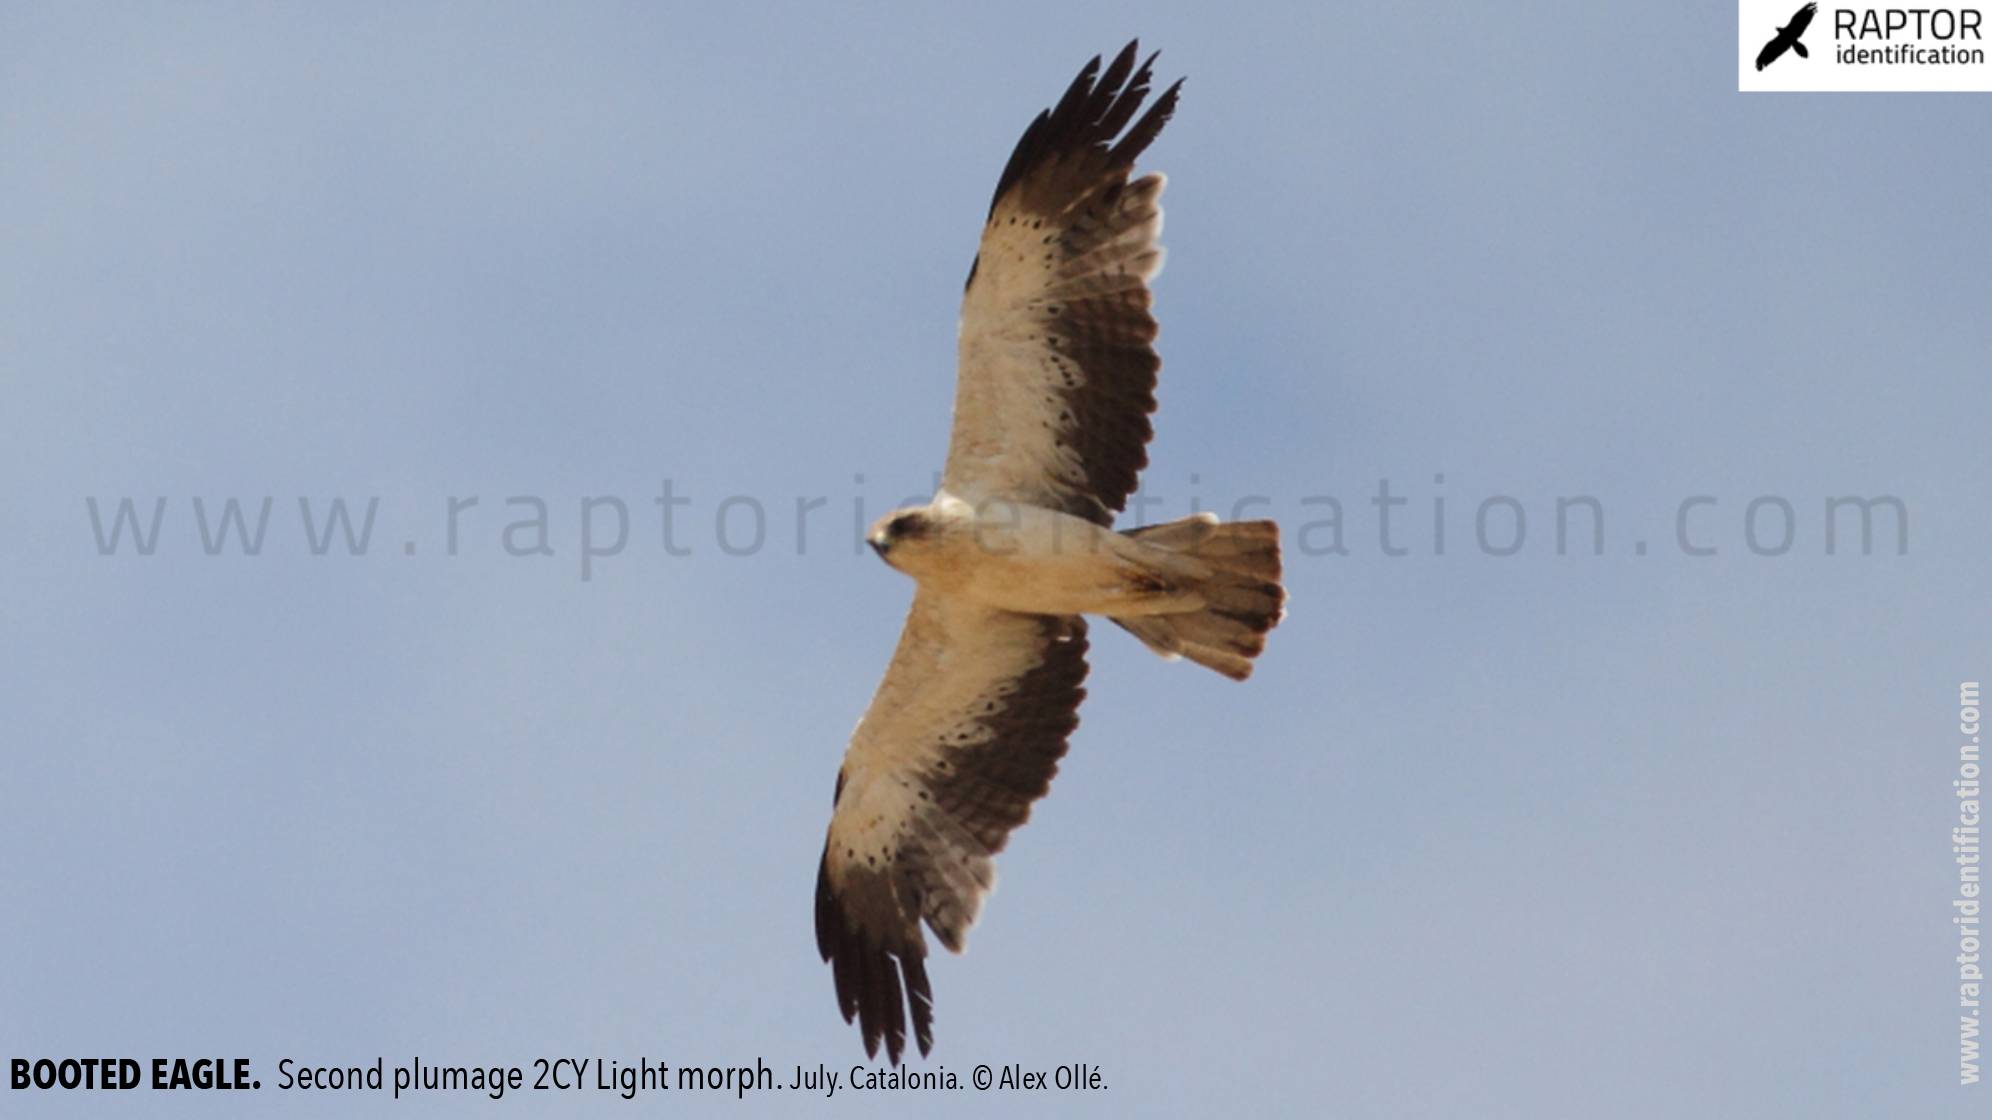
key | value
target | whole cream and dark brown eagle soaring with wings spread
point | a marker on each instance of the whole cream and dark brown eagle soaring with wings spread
(1057, 380)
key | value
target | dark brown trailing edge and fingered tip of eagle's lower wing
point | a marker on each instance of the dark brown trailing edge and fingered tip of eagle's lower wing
(870, 932)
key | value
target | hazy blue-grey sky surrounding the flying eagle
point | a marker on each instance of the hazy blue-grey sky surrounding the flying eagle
(1640, 834)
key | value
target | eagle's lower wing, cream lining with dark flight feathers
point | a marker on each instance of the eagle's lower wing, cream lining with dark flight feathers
(963, 736)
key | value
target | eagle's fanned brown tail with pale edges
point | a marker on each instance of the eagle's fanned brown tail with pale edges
(1236, 571)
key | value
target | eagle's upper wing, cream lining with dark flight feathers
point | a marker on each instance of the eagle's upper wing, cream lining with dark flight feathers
(1057, 362)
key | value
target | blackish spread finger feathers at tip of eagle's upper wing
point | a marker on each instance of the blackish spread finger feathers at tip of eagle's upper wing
(1087, 121)
